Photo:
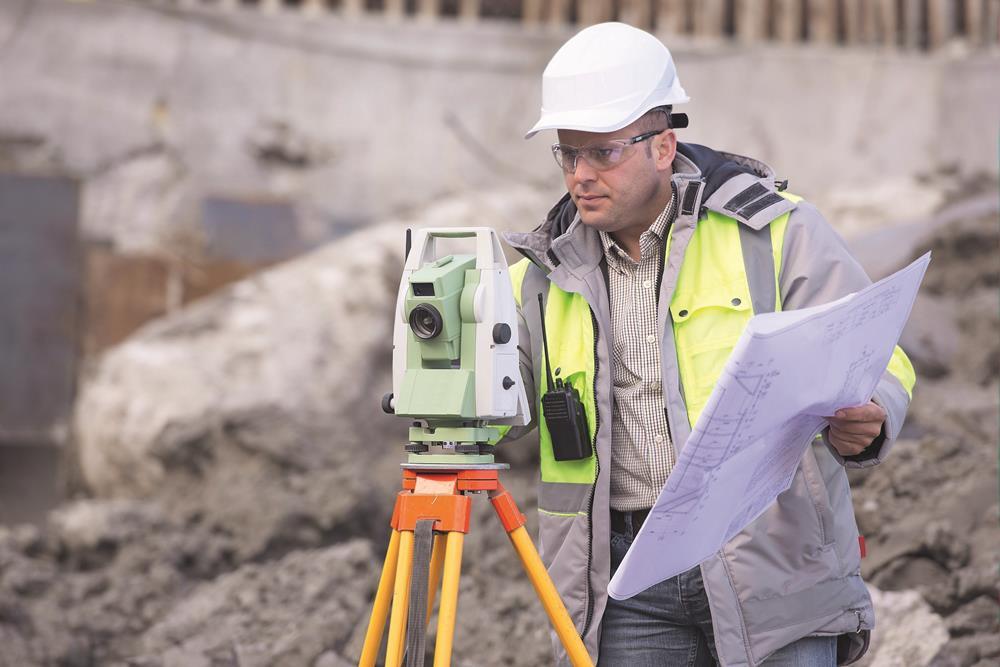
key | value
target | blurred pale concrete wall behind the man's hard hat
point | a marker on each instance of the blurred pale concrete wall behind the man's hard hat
(156, 107)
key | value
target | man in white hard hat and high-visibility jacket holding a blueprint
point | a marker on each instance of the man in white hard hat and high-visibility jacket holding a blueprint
(647, 272)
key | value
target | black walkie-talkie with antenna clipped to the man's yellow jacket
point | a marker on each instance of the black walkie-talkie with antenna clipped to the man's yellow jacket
(563, 411)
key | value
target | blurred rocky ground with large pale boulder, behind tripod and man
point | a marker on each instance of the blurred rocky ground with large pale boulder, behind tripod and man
(237, 476)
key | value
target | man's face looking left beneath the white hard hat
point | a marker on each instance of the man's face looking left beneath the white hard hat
(629, 195)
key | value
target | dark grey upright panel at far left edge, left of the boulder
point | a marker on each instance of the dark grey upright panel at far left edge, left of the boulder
(41, 271)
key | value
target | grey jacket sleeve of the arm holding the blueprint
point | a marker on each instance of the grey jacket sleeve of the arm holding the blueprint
(817, 268)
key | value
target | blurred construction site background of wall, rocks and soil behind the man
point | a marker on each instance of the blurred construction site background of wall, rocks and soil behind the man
(202, 207)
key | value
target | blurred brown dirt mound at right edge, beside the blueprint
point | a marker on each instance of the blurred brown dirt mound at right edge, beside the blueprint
(930, 514)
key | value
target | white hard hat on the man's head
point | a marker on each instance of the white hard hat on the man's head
(604, 78)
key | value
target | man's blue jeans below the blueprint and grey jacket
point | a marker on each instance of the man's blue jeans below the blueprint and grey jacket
(671, 624)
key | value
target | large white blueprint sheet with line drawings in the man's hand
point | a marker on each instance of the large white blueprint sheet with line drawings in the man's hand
(788, 371)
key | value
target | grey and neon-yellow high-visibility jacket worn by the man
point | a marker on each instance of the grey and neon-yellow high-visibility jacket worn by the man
(737, 247)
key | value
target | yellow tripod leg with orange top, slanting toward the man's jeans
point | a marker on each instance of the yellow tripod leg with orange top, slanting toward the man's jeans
(513, 523)
